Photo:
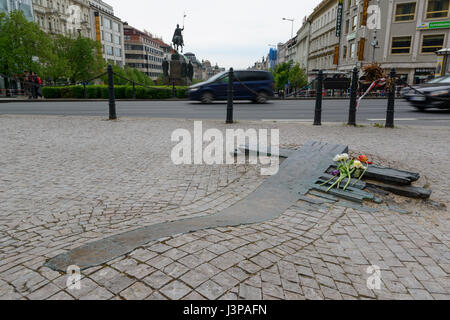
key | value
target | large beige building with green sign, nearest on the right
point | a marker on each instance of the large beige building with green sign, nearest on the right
(404, 34)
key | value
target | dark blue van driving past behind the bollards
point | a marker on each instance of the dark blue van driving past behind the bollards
(252, 85)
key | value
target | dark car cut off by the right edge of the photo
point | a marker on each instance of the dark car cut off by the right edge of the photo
(433, 94)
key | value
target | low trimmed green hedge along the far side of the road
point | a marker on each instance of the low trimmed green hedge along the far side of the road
(121, 92)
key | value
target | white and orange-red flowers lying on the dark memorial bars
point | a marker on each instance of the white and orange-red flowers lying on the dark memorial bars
(348, 168)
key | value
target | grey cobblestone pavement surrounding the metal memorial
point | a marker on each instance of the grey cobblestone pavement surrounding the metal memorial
(65, 181)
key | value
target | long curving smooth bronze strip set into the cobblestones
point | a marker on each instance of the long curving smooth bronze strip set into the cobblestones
(268, 201)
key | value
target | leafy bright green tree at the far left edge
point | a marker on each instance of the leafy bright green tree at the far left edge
(23, 45)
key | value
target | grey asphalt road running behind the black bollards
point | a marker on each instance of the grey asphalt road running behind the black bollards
(371, 110)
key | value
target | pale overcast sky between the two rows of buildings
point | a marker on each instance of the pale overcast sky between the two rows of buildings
(232, 33)
